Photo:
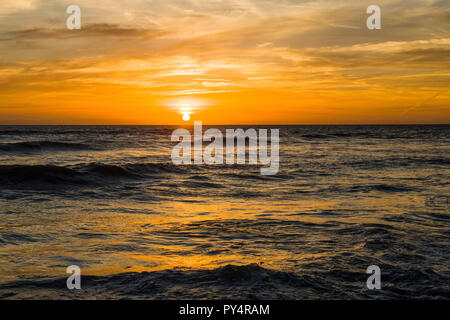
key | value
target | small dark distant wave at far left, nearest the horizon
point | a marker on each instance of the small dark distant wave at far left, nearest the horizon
(43, 146)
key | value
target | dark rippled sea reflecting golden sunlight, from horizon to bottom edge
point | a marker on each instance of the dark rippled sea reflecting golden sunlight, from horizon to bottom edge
(108, 199)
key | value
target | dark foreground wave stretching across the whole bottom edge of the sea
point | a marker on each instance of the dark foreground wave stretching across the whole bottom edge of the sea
(232, 282)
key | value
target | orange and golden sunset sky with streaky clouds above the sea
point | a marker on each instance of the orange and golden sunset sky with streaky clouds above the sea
(224, 62)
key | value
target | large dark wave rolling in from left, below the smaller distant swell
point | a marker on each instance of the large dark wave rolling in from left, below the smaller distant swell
(107, 175)
